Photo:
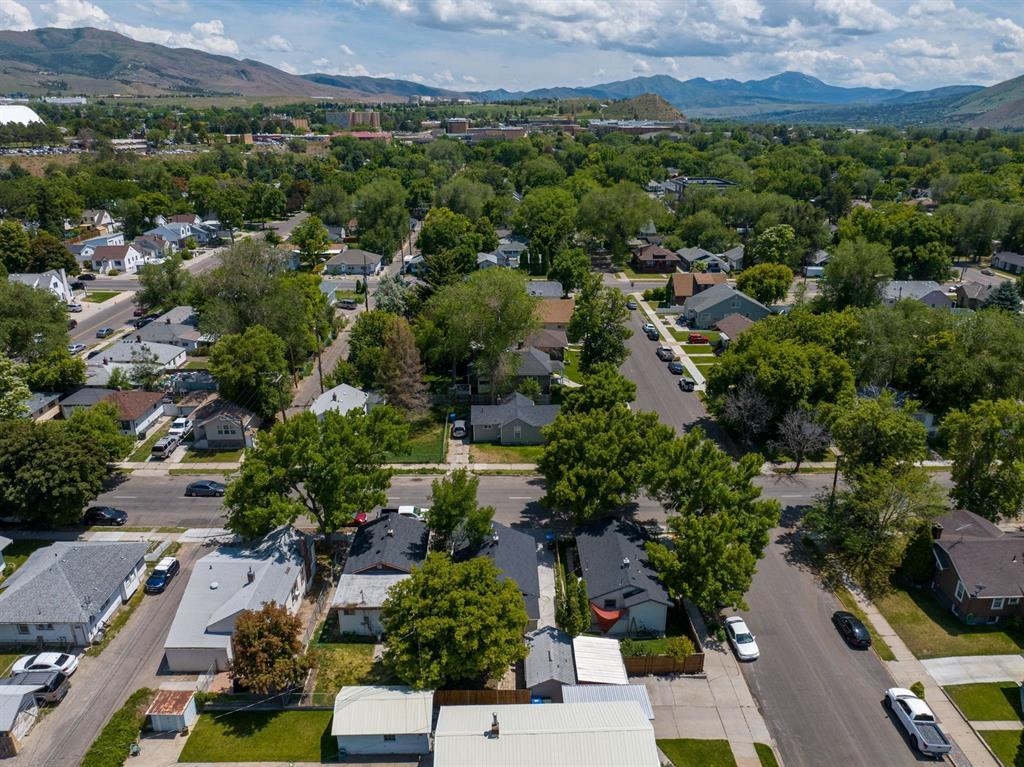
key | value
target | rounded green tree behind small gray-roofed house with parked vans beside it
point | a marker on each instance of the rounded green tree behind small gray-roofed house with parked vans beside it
(251, 371)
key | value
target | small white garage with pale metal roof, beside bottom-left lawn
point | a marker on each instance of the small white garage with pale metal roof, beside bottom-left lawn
(382, 720)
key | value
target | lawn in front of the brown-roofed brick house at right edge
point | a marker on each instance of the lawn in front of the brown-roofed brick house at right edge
(931, 631)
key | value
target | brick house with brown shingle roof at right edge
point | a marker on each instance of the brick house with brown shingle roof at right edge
(978, 569)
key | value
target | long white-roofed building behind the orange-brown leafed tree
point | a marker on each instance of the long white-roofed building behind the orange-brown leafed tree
(225, 584)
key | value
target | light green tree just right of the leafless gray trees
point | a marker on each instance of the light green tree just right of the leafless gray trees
(878, 432)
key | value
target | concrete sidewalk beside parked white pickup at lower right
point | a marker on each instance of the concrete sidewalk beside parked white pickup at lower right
(970, 750)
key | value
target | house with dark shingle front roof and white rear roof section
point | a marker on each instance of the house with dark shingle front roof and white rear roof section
(383, 553)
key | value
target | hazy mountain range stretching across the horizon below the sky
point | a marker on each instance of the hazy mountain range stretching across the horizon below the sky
(95, 62)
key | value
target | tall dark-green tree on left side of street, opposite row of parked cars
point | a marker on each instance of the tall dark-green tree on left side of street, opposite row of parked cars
(600, 325)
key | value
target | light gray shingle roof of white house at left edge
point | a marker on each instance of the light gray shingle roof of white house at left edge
(68, 582)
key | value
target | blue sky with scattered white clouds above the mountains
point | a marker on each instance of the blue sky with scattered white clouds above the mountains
(470, 46)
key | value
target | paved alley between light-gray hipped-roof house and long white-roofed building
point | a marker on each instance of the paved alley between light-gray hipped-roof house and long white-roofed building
(103, 684)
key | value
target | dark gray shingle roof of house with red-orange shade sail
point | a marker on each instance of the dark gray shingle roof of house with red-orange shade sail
(605, 546)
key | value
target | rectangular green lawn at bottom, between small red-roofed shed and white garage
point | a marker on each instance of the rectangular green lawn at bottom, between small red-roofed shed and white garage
(263, 737)
